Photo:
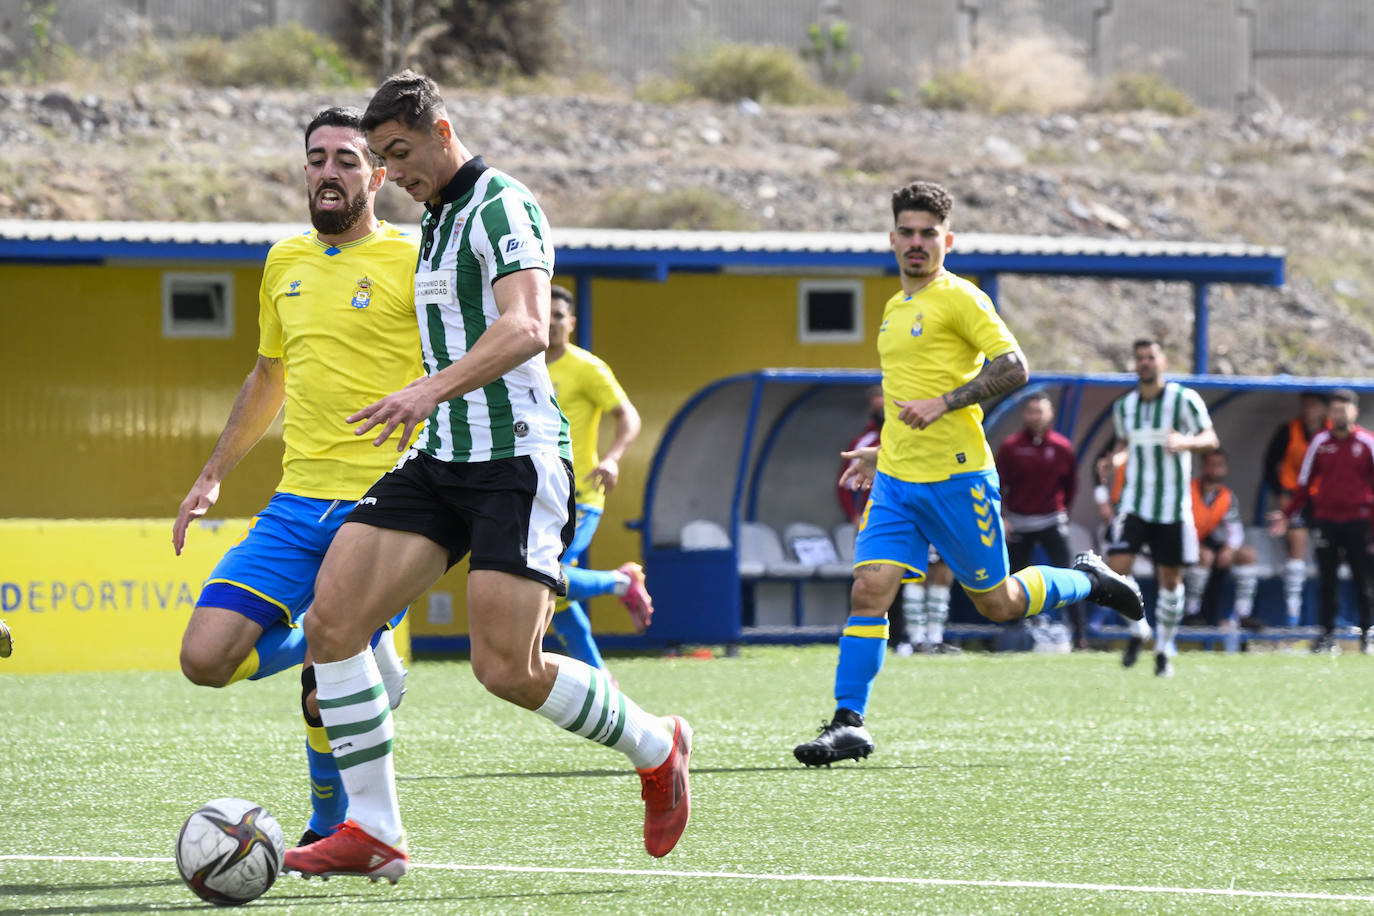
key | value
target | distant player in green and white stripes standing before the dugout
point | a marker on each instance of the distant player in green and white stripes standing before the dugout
(1159, 425)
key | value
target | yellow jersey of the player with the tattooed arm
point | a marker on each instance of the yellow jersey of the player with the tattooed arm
(930, 344)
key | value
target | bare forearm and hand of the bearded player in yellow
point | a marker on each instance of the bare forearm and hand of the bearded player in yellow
(255, 409)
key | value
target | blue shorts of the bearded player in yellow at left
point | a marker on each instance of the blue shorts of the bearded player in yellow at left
(270, 575)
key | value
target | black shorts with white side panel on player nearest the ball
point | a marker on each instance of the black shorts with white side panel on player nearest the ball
(513, 516)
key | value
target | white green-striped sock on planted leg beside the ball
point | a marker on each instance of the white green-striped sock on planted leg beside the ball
(358, 720)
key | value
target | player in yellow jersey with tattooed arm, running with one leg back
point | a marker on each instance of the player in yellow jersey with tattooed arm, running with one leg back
(943, 351)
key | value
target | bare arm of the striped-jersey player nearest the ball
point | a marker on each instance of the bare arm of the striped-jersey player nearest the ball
(519, 334)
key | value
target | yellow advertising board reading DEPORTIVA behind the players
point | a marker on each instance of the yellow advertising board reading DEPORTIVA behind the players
(106, 595)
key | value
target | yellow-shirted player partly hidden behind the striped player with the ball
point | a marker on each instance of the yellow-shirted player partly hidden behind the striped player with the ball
(586, 389)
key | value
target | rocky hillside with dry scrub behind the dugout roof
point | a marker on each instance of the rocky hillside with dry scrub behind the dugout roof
(1276, 179)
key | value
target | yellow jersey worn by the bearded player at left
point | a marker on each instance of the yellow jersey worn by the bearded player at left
(343, 322)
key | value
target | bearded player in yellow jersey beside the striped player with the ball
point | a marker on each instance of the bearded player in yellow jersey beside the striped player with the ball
(337, 329)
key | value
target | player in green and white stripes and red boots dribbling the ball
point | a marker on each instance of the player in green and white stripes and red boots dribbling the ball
(491, 476)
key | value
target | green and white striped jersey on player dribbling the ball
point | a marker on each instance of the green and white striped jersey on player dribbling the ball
(487, 226)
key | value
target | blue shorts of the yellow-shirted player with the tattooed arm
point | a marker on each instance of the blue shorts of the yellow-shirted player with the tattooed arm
(961, 518)
